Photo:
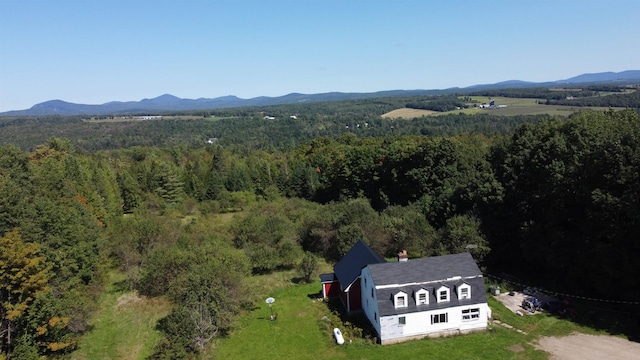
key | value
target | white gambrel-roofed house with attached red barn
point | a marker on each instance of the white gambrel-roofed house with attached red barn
(417, 298)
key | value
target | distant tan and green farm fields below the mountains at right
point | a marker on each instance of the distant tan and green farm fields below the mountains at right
(514, 106)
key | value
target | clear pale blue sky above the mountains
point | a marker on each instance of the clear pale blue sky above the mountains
(92, 52)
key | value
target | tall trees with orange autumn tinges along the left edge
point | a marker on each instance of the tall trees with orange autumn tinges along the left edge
(53, 209)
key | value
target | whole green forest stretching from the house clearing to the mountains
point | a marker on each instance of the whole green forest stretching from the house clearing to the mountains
(548, 201)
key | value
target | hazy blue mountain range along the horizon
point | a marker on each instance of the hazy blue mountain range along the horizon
(169, 102)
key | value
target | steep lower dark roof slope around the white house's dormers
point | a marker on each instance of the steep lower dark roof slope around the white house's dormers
(385, 296)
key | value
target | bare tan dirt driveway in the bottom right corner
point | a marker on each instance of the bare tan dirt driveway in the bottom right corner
(587, 347)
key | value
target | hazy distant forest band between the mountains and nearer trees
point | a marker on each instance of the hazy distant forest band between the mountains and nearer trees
(291, 126)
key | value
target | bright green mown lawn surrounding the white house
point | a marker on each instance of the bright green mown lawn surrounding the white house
(299, 333)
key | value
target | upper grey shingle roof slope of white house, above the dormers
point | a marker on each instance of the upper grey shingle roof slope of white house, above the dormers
(424, 269)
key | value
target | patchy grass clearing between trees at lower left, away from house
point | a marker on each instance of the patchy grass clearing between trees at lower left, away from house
(124, 325)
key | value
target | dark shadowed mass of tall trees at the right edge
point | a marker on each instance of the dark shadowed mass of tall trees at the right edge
(571, 205)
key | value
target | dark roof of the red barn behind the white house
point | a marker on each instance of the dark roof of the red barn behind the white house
(348, 268)
